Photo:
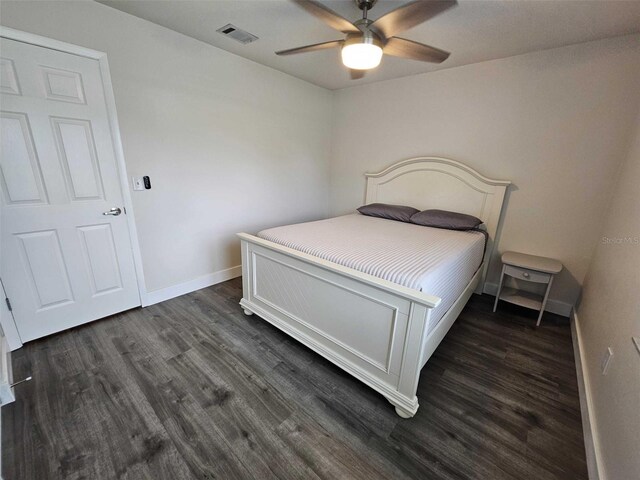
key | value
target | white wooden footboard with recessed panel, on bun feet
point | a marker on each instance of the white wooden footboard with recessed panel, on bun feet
(372, 328)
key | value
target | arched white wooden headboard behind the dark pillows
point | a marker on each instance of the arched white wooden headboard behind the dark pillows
(433, 182)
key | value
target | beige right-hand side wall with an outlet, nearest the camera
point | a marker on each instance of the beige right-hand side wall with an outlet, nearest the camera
(609, 315)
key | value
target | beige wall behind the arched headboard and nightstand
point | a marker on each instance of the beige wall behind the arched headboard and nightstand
(555, 122)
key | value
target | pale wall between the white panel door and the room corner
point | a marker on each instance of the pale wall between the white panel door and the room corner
(229, 145)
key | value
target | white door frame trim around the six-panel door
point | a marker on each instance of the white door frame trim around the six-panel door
(11, 332)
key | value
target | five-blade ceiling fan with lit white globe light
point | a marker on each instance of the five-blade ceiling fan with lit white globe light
(367, 40)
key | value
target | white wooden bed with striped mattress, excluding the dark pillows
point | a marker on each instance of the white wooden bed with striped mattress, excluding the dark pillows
(375, 311)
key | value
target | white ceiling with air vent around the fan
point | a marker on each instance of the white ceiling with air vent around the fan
(474, 31)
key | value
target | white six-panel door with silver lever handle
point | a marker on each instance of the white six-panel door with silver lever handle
(63, 262)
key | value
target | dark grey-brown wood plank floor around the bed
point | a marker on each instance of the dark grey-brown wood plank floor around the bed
(192, 388)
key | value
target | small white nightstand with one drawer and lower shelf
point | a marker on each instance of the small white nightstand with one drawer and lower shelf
(529, 268)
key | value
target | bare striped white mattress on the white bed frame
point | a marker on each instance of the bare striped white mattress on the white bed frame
(435, 261)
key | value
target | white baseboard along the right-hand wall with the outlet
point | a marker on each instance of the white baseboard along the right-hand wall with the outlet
(591, 446)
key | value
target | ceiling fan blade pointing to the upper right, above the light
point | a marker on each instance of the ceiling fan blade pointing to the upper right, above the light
(410, 15)
